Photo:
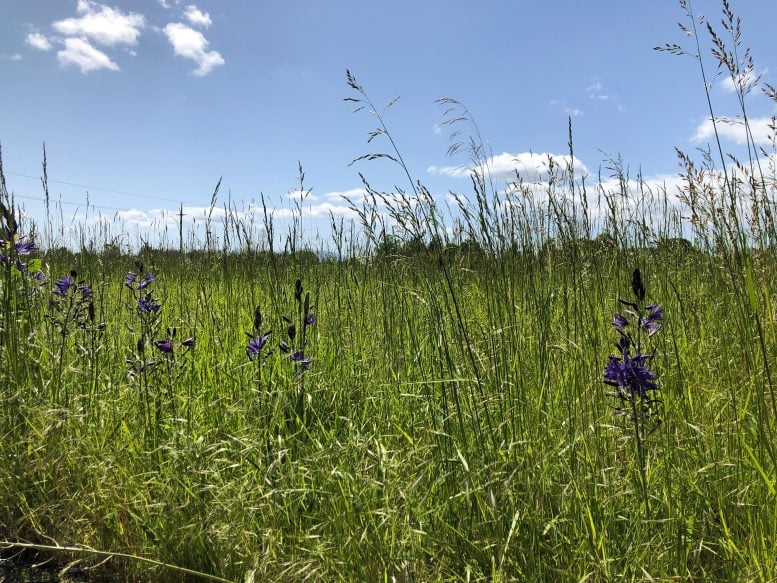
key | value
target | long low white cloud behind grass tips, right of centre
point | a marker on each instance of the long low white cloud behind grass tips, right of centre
(531, 167)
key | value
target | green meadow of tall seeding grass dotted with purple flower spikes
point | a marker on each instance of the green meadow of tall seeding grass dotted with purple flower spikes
(553, 382)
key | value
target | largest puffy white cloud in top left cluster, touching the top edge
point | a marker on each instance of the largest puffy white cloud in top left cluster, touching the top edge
(102, 24)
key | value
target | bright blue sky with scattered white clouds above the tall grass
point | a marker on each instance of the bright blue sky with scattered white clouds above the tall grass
(144, 105)
